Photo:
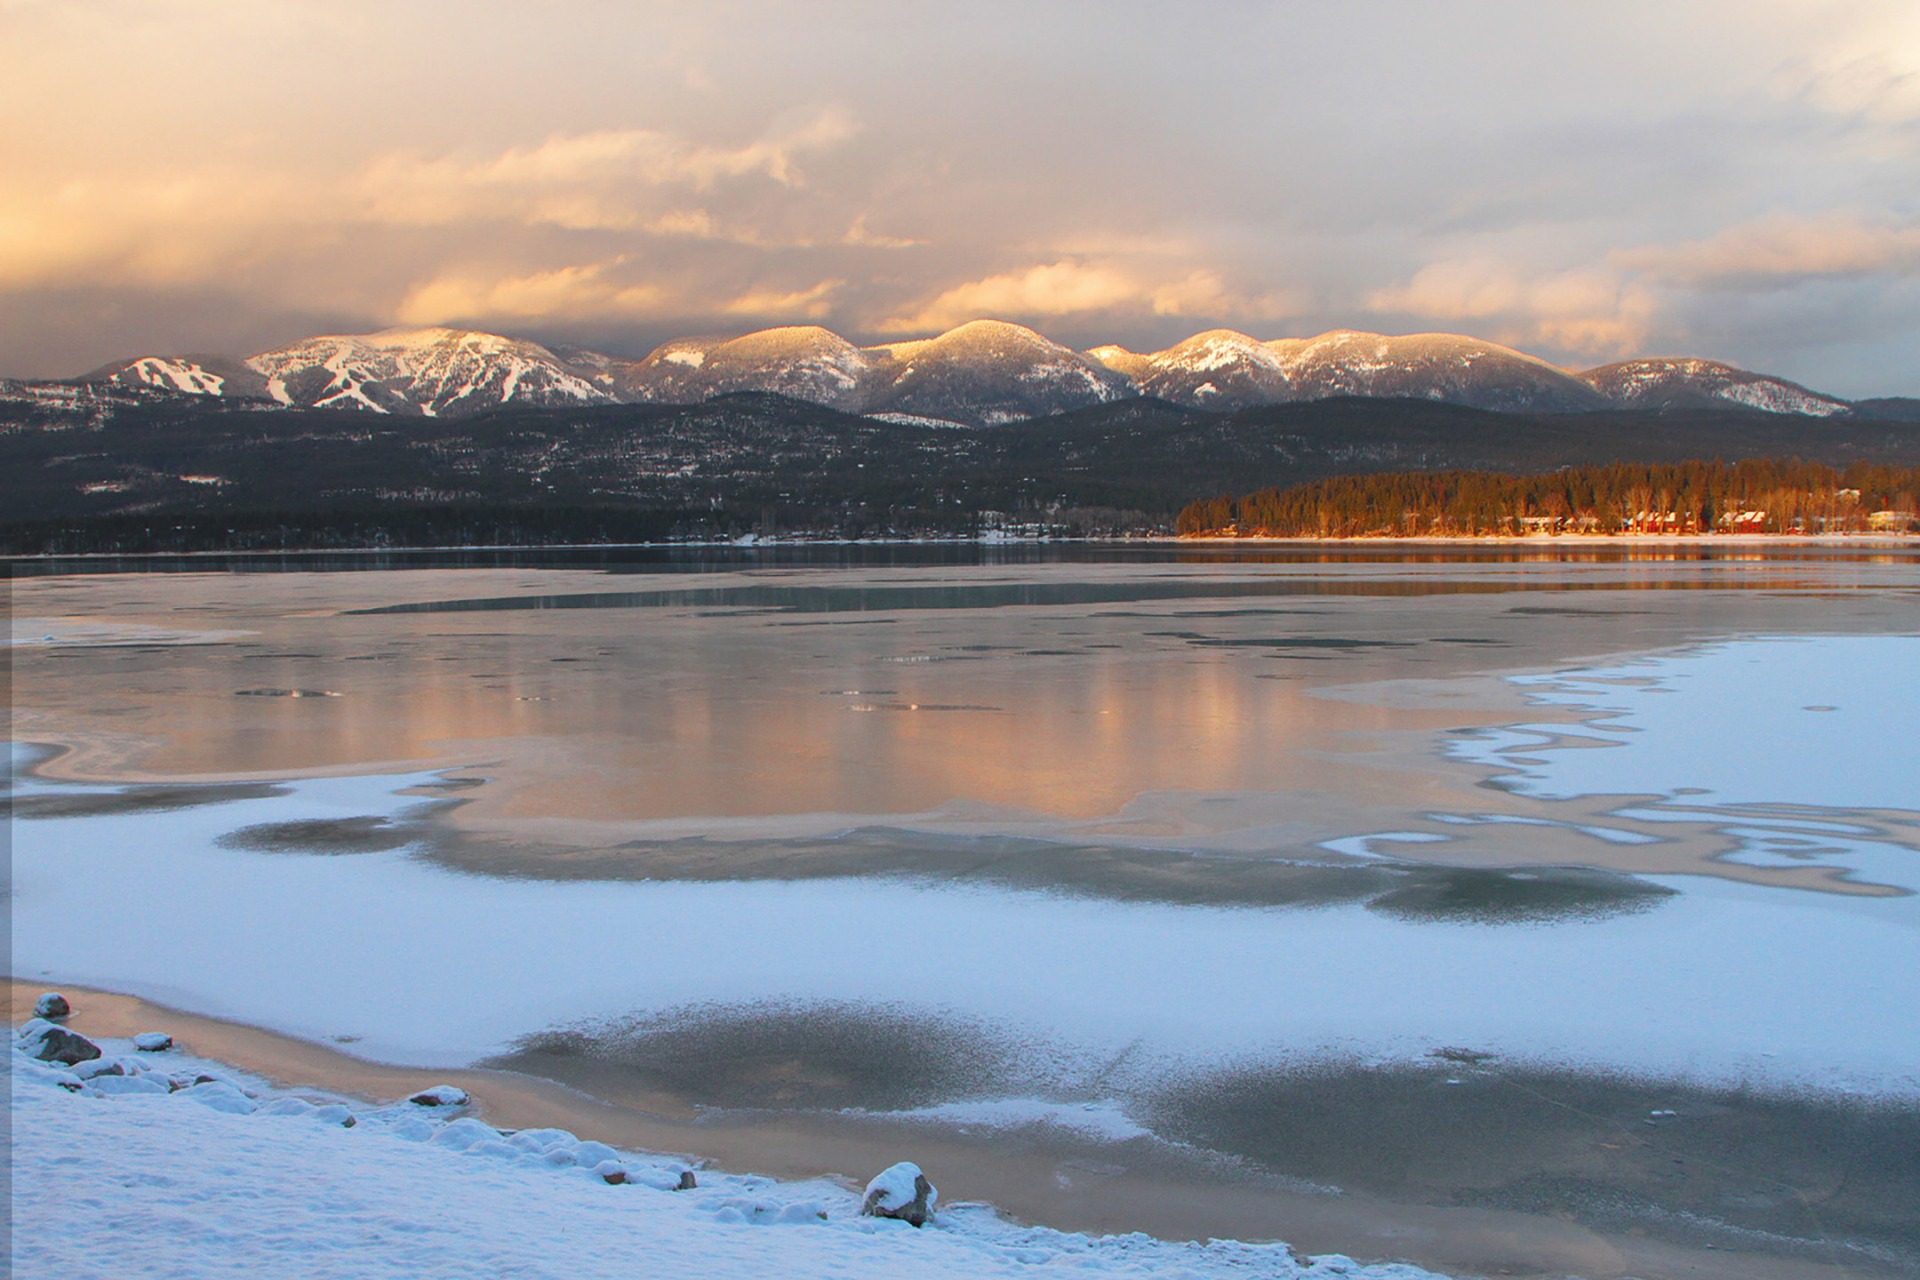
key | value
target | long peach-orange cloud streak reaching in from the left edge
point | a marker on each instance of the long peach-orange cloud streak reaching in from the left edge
(218, 218)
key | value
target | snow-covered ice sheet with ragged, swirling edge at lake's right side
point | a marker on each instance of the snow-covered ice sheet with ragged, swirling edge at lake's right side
(1785, 744)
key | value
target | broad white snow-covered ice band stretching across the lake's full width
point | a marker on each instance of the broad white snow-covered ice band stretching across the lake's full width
(427, 966)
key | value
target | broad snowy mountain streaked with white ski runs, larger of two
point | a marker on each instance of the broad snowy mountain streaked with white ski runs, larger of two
(427, 371)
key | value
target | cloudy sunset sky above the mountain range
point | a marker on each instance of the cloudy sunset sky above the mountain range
(1583, 179)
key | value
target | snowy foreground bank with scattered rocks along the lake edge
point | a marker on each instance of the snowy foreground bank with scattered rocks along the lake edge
(107, 1172)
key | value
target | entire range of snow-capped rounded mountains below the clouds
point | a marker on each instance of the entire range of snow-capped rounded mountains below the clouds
(980, 375)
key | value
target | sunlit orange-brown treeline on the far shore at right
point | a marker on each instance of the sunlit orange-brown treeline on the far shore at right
(1756, 496)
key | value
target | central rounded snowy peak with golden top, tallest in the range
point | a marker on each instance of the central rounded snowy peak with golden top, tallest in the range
(988, 373)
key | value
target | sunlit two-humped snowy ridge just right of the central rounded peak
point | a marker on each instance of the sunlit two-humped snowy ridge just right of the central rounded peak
(1224, 369)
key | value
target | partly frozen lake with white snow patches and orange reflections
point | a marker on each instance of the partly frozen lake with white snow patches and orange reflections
(1468, 884)
